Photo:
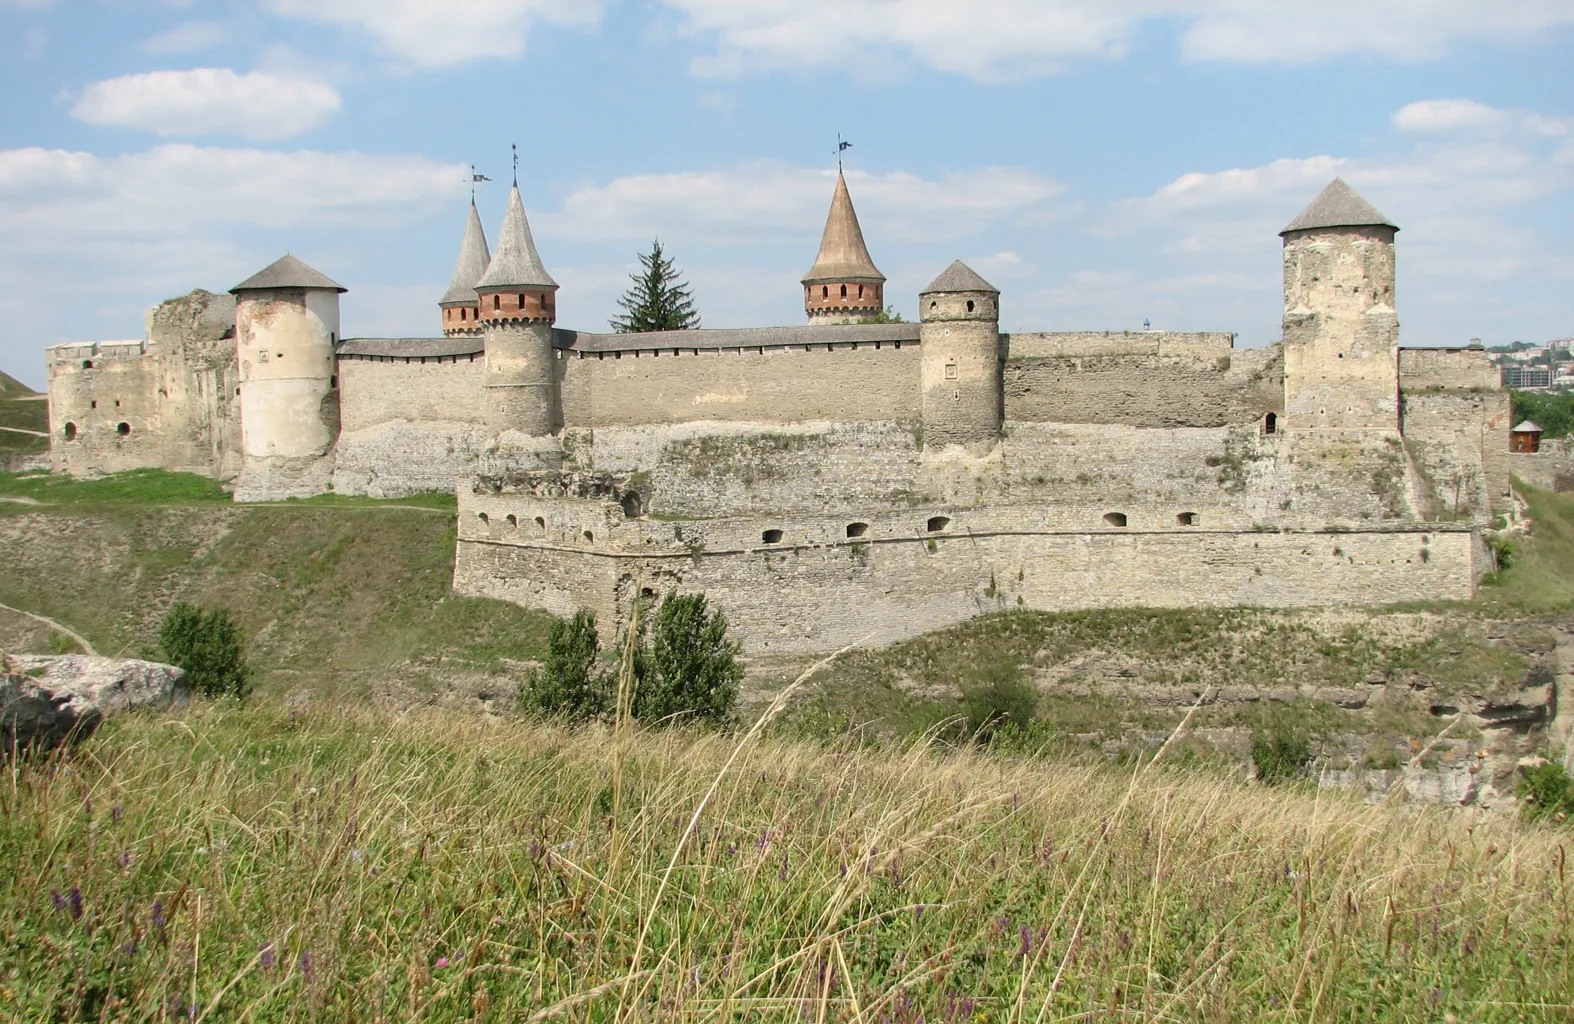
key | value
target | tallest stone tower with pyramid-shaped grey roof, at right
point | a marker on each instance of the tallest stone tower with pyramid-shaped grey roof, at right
(1342, 334)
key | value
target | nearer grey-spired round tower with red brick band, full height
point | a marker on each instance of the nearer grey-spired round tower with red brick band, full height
(519, 301)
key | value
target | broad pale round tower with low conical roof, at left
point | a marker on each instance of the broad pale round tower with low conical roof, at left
(286, 333)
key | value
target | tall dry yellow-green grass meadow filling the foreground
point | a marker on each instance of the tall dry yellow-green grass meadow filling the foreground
(272, 864)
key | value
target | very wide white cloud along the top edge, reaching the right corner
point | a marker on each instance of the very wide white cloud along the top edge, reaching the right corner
(1013, 39)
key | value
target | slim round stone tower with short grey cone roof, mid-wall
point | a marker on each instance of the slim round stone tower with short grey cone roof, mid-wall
(961, 361)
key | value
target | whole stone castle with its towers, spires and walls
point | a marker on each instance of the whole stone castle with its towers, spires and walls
(844, 482)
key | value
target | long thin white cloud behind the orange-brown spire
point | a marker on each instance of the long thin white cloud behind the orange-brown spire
(777, 202)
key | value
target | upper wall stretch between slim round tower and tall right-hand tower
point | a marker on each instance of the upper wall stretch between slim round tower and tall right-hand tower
(1140, 383)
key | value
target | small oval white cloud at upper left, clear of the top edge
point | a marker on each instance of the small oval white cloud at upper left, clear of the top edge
(209, 101)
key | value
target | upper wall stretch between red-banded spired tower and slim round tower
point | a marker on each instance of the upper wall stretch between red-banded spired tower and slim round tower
(766, 385)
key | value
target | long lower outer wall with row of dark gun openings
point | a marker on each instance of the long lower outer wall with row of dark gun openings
(819, 583)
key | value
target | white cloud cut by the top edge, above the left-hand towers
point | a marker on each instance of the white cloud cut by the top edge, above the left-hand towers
(437, 34)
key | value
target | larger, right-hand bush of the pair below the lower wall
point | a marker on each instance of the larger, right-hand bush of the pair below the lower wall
(695, 671)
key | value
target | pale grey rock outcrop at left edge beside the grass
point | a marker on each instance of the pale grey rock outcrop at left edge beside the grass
(50, 701)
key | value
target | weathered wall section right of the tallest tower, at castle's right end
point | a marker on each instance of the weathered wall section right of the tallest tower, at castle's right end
(1458, 446)
